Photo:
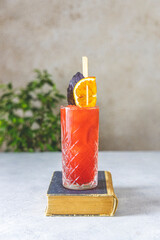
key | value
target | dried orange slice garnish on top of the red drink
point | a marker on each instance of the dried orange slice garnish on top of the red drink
(85, 92)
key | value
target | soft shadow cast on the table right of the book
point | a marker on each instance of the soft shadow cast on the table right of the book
(137, 200)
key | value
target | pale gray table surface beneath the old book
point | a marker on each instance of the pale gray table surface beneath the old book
(24, 179)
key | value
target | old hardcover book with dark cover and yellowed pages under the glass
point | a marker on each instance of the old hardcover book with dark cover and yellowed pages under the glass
(100, 201)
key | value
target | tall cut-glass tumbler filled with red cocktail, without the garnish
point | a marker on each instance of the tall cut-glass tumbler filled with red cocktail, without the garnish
(79, 135)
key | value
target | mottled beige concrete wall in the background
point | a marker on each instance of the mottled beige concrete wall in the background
(121, 39)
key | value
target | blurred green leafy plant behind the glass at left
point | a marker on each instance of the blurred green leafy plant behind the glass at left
(28, 117)
